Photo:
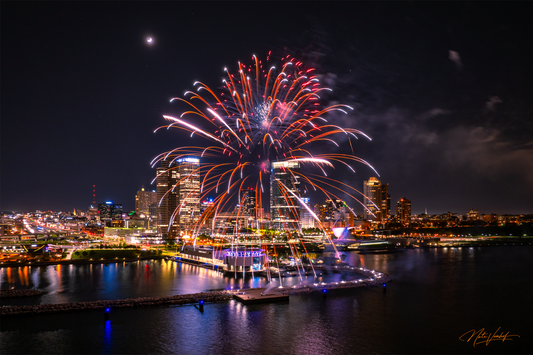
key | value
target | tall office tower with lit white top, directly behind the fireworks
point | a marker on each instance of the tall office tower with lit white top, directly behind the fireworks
(284, 185)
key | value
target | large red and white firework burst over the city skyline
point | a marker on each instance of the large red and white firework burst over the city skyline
(262, 114)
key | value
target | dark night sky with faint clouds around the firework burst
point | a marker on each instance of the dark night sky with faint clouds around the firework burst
(445, 90)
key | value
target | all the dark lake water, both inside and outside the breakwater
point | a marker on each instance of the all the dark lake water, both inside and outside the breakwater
(435, 296)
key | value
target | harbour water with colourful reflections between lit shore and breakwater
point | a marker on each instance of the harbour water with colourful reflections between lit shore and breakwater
(148, 278)
